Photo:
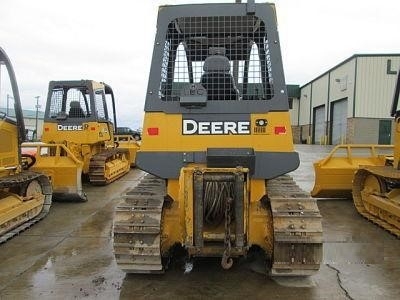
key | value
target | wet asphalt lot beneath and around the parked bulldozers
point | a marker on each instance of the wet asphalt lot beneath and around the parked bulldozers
(68, 255)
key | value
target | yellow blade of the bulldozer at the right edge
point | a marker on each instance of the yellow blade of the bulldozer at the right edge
(334, 174)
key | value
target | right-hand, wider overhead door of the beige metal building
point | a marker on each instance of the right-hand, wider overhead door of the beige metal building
(339, 122)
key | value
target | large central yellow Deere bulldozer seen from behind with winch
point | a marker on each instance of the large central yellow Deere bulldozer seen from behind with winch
(217, 144)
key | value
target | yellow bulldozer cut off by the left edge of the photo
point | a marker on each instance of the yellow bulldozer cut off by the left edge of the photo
(25, 196)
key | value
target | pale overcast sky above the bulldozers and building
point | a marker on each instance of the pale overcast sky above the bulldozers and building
(112, 41)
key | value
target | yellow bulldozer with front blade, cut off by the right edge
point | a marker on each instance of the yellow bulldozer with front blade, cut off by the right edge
(368, 173)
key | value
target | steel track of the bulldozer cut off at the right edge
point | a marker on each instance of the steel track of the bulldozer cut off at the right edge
(358, 186)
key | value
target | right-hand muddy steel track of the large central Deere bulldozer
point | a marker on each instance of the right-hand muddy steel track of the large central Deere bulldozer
(297, 229)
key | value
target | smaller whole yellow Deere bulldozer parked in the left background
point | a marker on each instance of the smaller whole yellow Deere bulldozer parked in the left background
(78, 138)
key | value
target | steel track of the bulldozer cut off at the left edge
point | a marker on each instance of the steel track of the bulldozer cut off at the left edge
(23, 179)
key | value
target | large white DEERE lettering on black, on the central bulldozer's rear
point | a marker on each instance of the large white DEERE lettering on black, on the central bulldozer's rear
(190, 127)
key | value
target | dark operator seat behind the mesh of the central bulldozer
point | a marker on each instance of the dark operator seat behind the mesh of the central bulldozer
(217, 79)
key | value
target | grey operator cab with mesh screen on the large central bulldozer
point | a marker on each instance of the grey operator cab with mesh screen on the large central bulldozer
(217, 63)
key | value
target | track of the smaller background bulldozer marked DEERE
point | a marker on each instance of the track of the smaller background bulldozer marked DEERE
(97, 166)
